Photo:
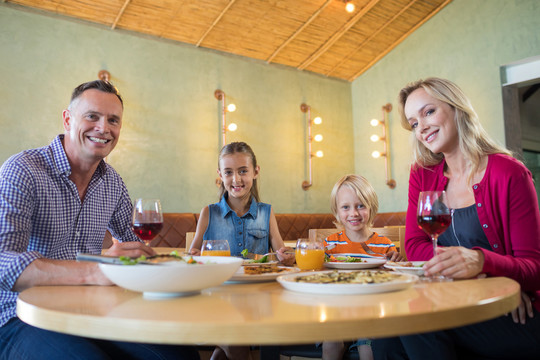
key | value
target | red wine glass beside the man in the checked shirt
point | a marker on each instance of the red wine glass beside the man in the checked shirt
(147, 219)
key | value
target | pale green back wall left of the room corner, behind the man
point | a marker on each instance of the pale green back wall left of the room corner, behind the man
(170, 137)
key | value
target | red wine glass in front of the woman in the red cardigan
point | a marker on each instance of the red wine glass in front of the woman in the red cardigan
(434, 216)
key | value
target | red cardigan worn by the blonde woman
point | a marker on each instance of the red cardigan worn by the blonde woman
(507, 207)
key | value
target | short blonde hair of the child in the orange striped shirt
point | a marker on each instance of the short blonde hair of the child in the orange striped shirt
(365, 192)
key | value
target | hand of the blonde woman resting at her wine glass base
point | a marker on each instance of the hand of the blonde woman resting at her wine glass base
(455, 262)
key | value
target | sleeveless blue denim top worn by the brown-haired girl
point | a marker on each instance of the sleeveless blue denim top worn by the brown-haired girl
(251, 231)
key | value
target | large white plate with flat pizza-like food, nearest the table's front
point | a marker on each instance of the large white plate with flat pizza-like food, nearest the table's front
(348, 282)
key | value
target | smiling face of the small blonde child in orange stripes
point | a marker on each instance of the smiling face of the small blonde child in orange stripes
(352, 214)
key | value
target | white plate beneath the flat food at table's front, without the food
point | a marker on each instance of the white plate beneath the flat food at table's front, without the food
(289, 283)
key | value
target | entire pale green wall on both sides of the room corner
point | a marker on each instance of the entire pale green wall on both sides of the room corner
(170, 139)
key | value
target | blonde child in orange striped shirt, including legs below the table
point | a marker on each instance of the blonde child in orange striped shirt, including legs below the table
(354, 203)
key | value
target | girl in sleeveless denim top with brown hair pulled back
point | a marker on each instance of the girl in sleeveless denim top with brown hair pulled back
(239, 217)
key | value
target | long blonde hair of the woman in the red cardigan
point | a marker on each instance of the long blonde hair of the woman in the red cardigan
(474, 142)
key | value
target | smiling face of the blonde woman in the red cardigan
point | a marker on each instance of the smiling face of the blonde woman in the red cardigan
(432, 122)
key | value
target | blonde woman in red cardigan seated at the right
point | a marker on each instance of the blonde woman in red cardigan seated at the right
(495, 229)
